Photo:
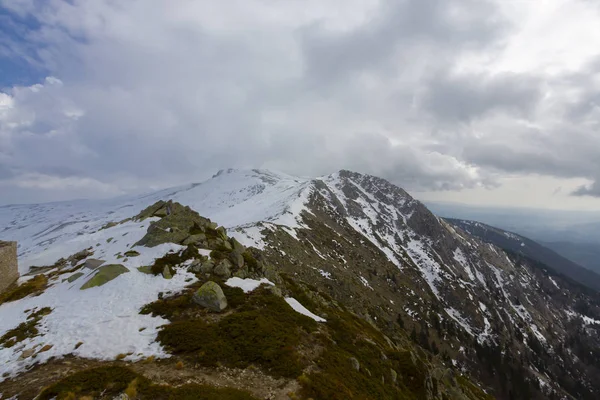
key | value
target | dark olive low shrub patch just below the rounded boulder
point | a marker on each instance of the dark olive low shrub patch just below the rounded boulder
(265, 331)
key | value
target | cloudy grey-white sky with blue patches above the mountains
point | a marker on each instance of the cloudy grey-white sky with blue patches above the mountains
(486, 102)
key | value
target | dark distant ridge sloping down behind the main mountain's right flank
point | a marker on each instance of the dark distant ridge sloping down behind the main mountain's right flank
(521, 245)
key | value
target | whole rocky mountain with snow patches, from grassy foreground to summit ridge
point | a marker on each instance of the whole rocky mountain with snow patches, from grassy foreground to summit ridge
(339, 287)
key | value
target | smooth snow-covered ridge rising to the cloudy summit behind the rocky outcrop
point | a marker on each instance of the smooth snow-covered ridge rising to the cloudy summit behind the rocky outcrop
(233, 198)
